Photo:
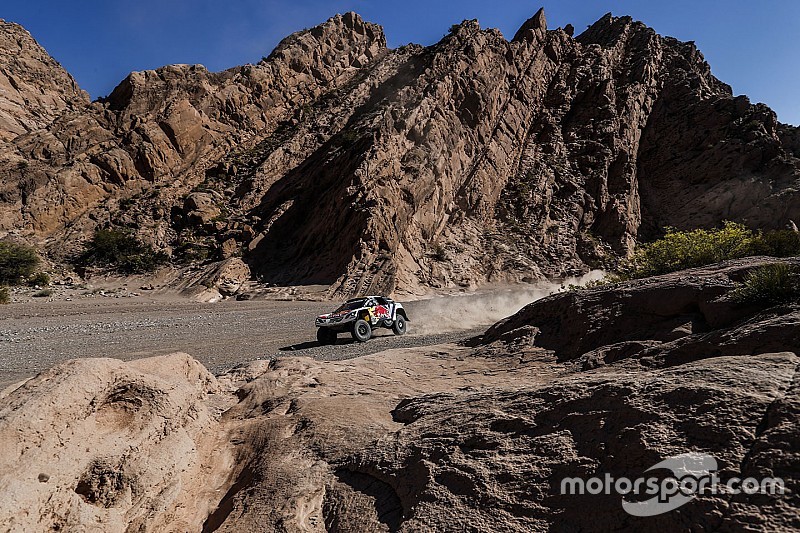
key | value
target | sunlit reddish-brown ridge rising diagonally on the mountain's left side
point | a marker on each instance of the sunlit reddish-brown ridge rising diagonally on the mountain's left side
(162, 129)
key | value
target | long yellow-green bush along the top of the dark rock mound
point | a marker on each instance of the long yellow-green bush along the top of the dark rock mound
(679, 250)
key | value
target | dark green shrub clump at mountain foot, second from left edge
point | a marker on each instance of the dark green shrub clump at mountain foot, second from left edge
(123, 252)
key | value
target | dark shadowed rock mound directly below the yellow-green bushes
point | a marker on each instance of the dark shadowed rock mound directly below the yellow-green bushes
(662, 321)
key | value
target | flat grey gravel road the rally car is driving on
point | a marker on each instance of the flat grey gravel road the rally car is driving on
(37, 335)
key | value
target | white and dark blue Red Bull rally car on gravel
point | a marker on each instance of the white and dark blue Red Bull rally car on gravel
(360, 316)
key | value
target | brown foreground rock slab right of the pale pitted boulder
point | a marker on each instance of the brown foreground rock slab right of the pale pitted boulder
(335, 447)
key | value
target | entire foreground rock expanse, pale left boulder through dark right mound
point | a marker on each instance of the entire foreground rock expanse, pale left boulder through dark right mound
(437, 438)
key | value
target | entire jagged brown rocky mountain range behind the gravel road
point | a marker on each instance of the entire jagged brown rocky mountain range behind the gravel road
(338, 161)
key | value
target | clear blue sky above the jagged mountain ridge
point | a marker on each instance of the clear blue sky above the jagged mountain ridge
(753, 48)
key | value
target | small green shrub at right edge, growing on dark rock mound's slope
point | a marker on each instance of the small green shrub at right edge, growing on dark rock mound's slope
(775, 283)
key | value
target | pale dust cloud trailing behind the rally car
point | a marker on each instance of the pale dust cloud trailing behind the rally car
(483, 308)
